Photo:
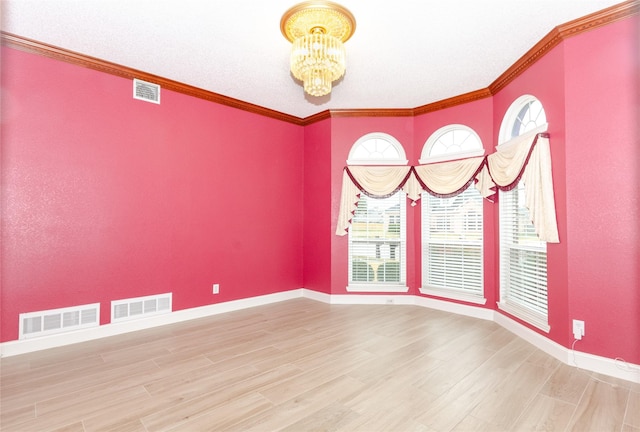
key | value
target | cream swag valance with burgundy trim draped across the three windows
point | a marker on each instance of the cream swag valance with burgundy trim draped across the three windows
(526, 158)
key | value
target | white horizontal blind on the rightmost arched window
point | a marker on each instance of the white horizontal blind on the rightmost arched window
(523, 260)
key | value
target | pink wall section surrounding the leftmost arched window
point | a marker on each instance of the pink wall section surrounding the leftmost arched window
(345, 131)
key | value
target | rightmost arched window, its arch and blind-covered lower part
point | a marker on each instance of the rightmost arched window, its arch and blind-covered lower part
(523, 256)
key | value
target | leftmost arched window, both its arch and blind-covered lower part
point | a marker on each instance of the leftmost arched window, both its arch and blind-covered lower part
(377, 236)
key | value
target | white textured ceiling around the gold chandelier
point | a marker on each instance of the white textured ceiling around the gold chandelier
(404, 53)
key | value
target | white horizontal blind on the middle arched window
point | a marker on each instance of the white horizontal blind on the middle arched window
(452, 232)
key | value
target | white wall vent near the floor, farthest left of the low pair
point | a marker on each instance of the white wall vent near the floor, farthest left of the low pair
(52, 321)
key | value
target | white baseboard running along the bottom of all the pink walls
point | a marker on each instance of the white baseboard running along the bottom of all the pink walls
(589, 362)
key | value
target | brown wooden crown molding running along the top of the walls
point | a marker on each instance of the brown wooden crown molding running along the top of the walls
(551, 40)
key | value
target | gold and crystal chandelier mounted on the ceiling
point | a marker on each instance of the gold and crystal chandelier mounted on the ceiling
(317, 30)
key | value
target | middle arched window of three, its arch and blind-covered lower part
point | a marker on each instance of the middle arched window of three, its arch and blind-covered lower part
(452, 228)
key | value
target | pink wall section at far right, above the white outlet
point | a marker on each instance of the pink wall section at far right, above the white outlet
(602, 81)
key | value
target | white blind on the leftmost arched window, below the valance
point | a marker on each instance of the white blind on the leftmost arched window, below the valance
(377, 242)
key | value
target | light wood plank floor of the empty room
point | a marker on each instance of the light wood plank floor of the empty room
(302, 365)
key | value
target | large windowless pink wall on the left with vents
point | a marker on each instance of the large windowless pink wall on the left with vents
(105, 197)
